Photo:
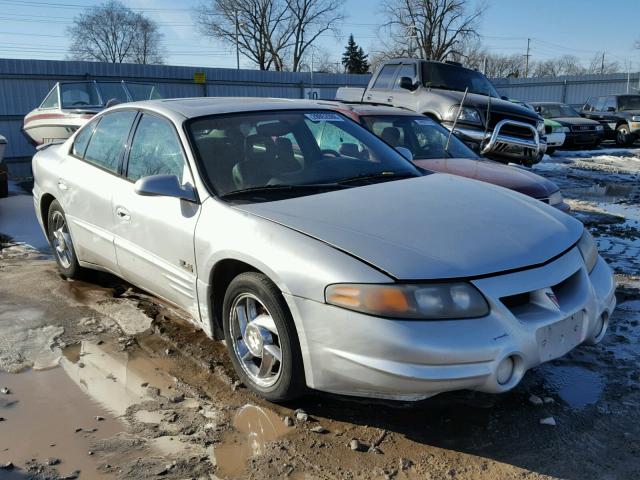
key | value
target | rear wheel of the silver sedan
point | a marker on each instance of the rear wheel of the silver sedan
(61, 242)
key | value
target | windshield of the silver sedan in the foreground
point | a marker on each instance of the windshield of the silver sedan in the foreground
(291, 152)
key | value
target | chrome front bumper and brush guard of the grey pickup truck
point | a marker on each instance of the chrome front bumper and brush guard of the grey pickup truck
(498, 144)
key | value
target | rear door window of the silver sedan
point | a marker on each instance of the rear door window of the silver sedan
(109, 138)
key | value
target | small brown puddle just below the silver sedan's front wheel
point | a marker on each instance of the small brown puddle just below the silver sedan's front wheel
(255, 427)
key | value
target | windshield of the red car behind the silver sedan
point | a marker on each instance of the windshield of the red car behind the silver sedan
(425, 138)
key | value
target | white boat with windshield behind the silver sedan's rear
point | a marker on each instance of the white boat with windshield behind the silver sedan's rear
(69, 105)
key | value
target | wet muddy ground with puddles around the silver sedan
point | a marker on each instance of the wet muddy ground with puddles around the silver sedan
(103, 381)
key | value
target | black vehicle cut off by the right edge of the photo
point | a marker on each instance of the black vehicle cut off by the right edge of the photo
(618, 114)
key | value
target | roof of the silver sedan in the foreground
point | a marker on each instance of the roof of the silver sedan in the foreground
(202, 106)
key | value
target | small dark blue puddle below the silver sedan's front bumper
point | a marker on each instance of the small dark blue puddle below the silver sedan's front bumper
(577, 386)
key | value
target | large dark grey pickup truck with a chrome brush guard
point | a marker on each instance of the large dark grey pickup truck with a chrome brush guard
(490, 124)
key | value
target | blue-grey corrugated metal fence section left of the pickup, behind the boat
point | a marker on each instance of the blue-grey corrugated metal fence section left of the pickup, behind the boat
(24, 84)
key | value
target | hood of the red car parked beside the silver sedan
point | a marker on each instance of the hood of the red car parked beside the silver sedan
(514, 178)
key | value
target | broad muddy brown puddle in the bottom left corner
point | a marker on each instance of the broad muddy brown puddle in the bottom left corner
(41, 423)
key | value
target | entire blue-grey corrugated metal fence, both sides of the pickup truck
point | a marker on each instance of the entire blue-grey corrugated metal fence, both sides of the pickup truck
(24, 83)
